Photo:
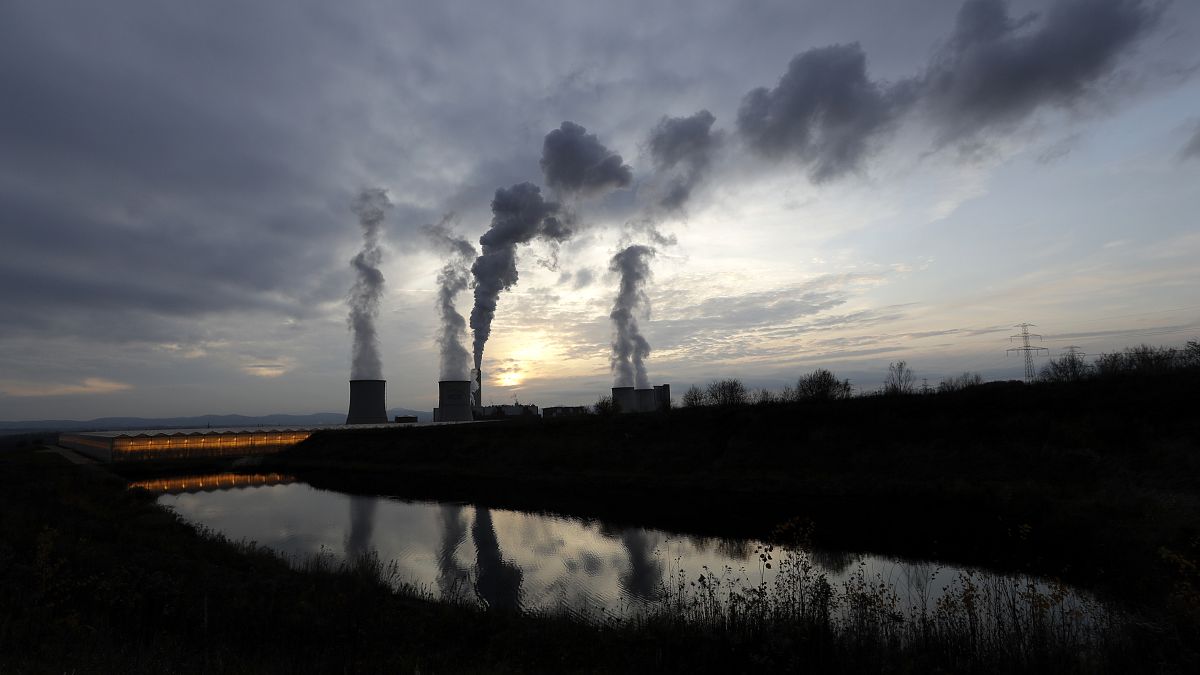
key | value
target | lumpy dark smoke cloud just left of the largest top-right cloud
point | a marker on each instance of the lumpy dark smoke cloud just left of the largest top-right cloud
(825, 112)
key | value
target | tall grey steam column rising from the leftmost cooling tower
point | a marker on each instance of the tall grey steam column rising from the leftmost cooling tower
(370, 206)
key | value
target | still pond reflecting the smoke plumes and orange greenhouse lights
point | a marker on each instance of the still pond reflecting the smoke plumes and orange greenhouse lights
(583, 568)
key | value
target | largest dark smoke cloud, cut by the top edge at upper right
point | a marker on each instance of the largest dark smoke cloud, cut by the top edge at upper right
(997, 70)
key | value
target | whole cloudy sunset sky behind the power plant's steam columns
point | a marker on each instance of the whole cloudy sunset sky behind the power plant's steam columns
(824, 184)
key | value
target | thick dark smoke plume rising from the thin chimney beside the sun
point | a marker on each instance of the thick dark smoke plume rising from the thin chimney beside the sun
(519, 216)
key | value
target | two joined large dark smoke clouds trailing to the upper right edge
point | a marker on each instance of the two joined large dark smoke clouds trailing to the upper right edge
(993, 74)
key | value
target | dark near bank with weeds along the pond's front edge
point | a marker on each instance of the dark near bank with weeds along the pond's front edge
(95, 578)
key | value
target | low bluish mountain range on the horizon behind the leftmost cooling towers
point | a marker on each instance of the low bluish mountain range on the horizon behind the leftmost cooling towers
(201, 422)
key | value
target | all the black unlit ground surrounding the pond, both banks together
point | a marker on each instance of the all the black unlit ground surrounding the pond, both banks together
(1095, 482)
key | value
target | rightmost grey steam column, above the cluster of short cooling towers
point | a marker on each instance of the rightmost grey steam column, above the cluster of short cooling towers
(629, 349)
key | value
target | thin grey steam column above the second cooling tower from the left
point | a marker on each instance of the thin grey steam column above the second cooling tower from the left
(454, 278)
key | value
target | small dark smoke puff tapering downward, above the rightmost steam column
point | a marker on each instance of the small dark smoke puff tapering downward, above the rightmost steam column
(682, 151)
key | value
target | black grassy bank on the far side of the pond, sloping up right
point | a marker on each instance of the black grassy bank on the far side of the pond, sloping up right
(1097, 482)
